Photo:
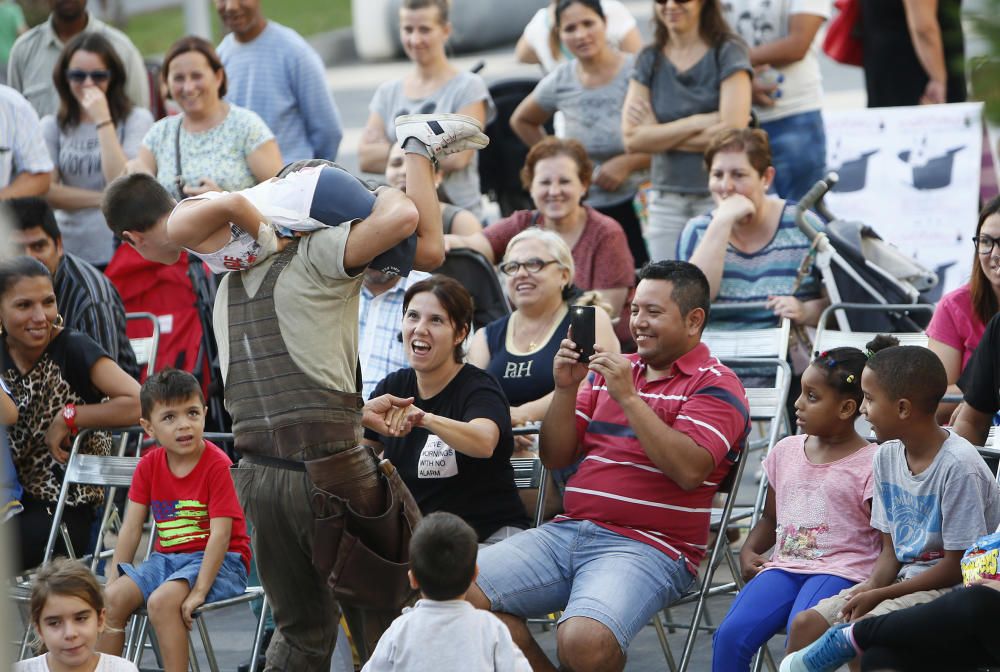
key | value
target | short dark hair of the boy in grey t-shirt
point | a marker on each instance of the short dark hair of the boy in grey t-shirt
(908, 372)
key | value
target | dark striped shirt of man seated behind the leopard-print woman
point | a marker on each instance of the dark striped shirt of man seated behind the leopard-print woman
(89, 303)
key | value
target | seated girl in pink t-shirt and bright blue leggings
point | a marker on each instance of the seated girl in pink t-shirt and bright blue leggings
(816, 516)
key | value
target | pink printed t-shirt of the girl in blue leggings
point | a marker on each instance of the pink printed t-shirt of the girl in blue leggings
(823, 510)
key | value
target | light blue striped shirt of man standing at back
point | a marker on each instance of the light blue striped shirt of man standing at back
(281, 78)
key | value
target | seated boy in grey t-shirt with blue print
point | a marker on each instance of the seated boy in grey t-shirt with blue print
(934, 495)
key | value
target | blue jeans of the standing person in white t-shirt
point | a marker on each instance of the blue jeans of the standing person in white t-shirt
(798, 151)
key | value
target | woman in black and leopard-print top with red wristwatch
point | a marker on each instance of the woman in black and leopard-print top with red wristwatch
(58, 377)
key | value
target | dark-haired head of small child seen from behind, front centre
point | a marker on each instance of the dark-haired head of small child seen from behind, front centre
(443, 556)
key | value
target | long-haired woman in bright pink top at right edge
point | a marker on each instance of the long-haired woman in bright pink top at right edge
(961, 315)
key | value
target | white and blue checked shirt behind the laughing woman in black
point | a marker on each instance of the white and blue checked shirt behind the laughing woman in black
(380, 319)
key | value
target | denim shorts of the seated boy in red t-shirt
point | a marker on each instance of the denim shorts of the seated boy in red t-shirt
(159, 568)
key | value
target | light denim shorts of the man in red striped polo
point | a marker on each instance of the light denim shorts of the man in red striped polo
(585, 570)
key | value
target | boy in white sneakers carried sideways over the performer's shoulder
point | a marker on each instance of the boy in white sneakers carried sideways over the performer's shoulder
(234, 231)
